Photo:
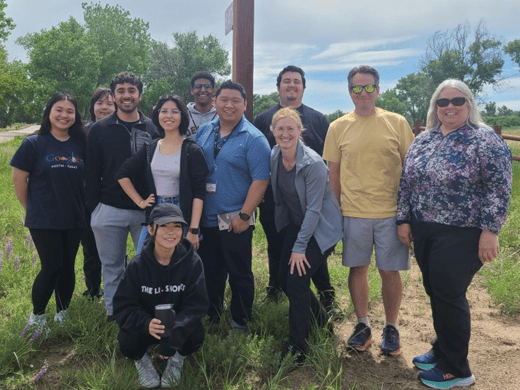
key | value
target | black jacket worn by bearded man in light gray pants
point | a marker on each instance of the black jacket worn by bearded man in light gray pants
(108, 147)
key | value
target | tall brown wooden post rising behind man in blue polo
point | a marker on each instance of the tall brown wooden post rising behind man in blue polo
(243, 39)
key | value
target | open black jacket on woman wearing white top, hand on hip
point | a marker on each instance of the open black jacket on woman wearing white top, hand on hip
(194, 171)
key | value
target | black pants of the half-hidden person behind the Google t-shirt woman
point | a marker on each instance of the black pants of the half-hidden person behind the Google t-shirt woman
(91, 261)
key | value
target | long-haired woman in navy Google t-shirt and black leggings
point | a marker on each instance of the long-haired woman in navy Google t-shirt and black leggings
(49, 183)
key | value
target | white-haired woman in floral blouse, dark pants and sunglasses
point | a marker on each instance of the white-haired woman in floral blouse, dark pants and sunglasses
(453, 199)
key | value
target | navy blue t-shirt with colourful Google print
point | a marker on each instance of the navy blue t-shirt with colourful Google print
(56, 198)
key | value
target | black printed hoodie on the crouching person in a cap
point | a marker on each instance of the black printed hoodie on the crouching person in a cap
(146, 283)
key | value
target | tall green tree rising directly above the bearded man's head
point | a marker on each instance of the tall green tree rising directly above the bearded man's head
(121, 42)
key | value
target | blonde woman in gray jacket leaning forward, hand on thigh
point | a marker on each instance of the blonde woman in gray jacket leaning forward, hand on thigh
(310, 216)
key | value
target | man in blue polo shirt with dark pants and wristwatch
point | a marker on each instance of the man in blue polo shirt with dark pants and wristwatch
(238, 156)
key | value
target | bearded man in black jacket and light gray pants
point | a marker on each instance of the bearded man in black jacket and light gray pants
(110, 142)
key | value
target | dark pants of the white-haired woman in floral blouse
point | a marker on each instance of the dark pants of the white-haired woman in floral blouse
(448, 259)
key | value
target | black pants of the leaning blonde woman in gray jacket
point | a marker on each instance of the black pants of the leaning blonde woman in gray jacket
(303, 305)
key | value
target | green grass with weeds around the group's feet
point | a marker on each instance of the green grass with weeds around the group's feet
(85, 354)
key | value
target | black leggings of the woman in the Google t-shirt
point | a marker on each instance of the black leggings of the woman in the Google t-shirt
(57, 250)
